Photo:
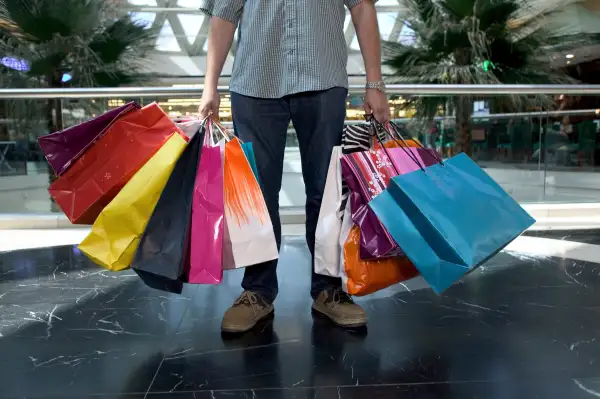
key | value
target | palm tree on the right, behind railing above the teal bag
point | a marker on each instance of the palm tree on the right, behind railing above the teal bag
(477, 42)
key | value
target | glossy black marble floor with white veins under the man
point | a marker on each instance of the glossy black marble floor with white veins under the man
(519, 327)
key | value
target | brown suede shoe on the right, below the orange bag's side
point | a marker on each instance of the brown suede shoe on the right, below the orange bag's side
(340, 308)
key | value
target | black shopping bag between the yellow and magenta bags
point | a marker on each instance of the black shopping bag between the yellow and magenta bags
(163, 252)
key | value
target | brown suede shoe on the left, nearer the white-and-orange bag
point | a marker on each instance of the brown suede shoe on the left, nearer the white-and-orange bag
(246, 311)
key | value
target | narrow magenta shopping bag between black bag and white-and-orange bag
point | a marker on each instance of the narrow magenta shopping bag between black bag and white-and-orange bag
(208, 208)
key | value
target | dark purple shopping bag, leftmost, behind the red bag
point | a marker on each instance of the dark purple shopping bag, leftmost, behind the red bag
(64, 147)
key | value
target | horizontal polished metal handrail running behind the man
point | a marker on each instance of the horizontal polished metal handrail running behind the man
(415, 90)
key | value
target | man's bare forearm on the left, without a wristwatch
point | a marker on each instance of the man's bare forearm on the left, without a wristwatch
(220, 38)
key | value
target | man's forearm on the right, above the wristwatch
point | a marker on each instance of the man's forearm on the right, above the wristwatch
(364, 18)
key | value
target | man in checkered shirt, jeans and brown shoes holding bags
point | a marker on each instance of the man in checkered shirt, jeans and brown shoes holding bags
(291, 66)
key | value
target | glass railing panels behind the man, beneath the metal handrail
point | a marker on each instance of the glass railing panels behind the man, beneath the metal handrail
(545, 153)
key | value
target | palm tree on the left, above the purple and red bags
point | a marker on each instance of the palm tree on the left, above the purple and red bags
(90, 41)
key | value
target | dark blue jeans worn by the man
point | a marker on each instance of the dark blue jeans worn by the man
(318, 118)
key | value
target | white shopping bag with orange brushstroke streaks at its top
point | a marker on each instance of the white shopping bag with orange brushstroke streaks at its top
(249, 238)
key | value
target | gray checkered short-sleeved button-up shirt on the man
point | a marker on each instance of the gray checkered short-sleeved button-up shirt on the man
(286, 46)
